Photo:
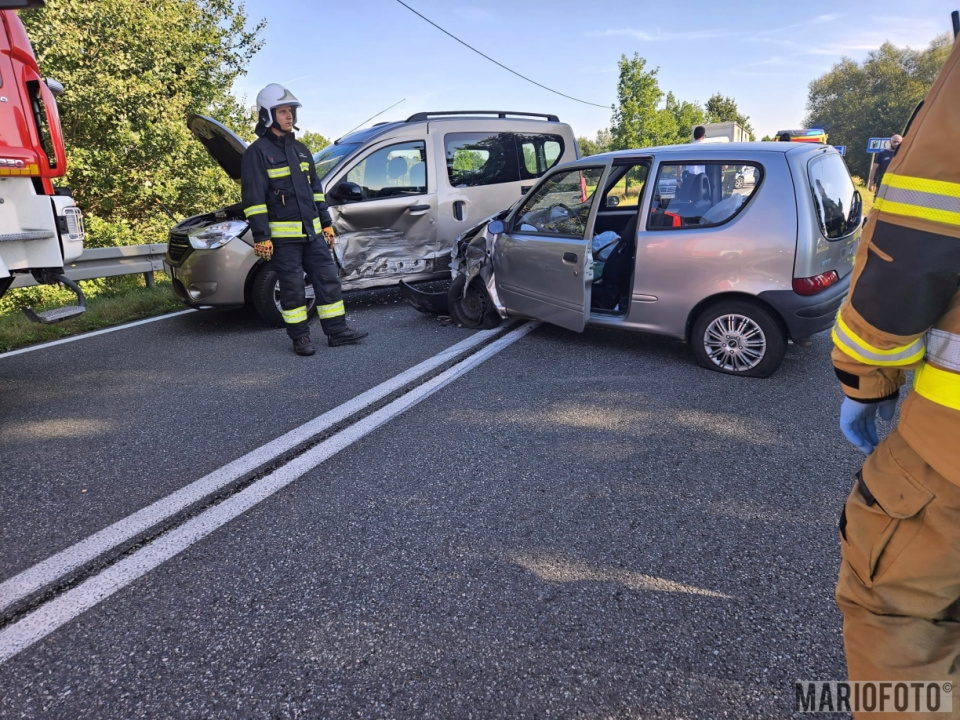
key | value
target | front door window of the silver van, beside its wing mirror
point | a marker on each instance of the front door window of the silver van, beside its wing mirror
(391, 171)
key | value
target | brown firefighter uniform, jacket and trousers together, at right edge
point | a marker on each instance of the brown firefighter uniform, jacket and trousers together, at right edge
(899, 584)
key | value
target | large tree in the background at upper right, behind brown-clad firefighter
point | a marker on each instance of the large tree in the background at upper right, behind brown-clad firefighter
(853, 102)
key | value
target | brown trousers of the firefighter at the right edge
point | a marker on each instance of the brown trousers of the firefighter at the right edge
(899, 583)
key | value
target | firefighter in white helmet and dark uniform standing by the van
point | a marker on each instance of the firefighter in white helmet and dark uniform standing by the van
(284, 203)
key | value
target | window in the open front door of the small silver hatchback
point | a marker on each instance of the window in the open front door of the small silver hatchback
(561, 205)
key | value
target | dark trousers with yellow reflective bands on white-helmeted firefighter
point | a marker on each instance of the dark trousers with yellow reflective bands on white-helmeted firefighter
(292, 260)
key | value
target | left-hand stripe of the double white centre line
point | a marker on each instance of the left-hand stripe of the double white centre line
(48, 571)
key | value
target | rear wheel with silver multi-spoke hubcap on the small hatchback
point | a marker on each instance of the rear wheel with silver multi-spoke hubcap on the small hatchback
(738, 337)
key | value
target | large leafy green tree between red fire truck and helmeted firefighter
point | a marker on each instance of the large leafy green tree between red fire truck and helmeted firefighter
(133, 70)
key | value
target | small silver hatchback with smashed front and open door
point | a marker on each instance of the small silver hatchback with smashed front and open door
(667, 240)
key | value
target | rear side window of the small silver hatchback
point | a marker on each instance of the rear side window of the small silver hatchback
(701, 194)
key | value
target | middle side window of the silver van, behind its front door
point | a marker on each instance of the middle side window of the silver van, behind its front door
(475, 159)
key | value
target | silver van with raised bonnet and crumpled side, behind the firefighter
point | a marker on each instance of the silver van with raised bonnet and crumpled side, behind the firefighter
(399, 193)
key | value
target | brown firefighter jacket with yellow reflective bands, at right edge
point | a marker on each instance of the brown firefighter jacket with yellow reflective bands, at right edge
(903, 309)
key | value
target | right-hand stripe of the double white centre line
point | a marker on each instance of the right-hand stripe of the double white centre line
(61, 610)
